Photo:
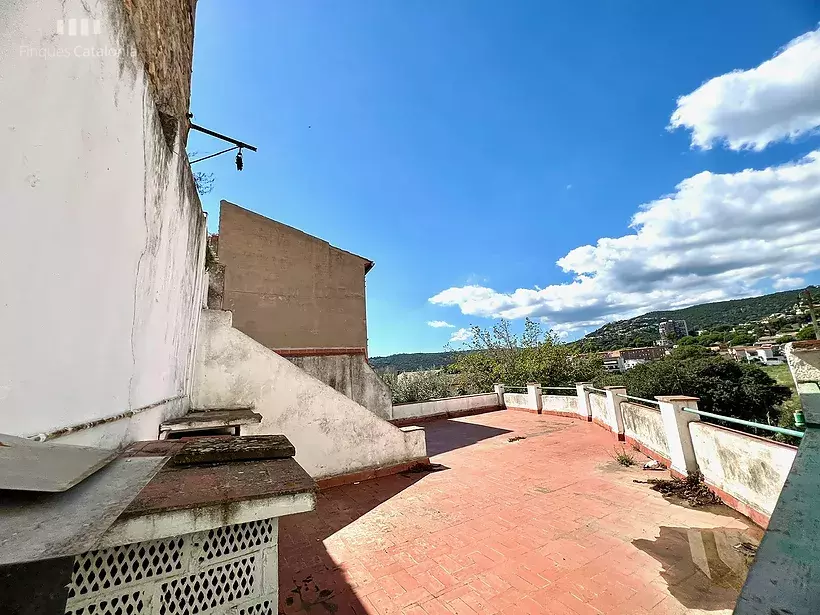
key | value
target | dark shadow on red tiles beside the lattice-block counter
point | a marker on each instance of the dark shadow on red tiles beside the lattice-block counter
(311, 580)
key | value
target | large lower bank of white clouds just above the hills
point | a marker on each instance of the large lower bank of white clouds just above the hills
(718, 236)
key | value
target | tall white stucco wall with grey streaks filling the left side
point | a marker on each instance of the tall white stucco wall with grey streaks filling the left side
(103, 235)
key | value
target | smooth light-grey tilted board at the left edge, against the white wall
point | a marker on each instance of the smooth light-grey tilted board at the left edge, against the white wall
(27, 465)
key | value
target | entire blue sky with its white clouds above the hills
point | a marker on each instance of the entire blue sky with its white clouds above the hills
(471, 147)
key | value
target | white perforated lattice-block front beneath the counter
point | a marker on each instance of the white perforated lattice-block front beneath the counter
(230, 569)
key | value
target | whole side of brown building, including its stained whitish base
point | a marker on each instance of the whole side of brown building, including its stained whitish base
(302, 298)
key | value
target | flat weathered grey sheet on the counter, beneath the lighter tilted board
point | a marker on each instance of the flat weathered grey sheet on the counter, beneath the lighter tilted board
(35, 526)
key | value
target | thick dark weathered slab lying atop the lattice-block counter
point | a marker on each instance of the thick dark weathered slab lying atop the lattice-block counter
(243, 448)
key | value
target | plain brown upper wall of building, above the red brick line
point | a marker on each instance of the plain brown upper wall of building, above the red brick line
(288, 289)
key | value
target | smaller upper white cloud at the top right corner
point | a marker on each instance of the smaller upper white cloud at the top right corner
(776, 100)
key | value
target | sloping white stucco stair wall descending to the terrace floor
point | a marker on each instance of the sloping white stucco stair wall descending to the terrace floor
(333, 435)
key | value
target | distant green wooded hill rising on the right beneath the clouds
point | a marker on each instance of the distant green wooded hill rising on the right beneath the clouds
(643, 330)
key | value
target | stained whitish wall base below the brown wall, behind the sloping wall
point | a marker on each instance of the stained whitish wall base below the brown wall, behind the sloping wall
(351, 375)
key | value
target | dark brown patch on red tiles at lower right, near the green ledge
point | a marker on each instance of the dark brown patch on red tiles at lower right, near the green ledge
(701, 567)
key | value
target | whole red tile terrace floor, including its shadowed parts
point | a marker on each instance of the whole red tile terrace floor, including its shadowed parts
(547, 524)
